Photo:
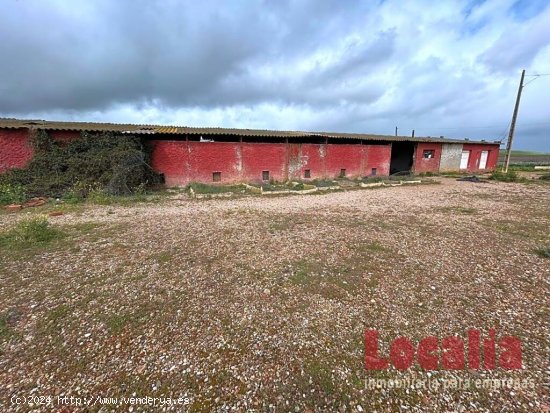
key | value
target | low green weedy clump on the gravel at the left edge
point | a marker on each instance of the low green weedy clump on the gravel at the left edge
(29, 232)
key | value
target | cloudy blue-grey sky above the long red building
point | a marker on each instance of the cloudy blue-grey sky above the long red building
(440, 67)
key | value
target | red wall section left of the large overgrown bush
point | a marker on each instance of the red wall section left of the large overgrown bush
(15, 149)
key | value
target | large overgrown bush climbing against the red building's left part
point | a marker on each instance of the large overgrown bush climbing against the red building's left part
(115, 164)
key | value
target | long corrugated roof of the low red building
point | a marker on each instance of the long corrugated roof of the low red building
(186, 130)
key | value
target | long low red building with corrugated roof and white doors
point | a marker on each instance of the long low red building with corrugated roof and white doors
(184, 154)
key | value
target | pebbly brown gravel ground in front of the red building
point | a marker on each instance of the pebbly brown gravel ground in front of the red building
(260, 304)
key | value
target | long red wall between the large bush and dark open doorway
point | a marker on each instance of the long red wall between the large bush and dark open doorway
(182, 162)
